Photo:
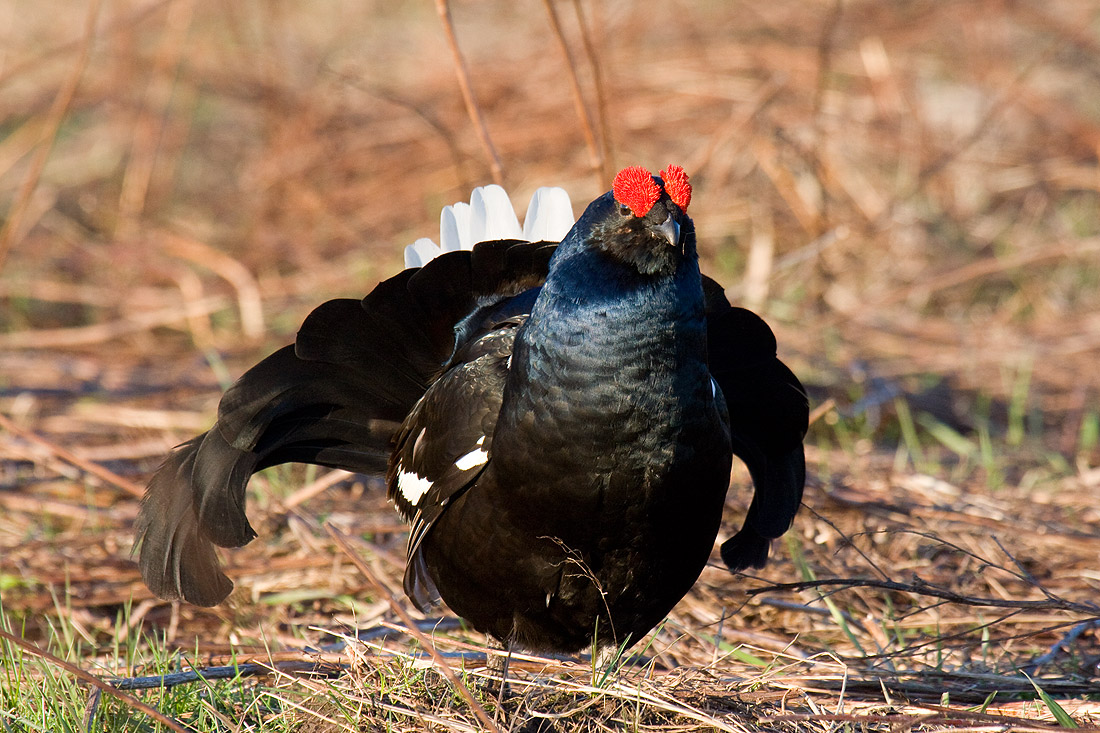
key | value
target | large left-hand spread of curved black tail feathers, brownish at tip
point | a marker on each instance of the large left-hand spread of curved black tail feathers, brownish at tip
(335, 399)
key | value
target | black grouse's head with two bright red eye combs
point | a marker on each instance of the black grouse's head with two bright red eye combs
(643, 222)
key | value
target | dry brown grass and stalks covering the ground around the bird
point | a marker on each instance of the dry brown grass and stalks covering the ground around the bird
(908, 192)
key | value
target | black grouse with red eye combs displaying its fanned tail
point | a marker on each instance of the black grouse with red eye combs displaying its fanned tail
(555, 412)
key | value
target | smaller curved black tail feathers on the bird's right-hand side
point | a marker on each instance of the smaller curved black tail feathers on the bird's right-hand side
(768, 420)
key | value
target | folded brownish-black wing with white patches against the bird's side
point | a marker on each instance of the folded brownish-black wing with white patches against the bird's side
(446, 443)
